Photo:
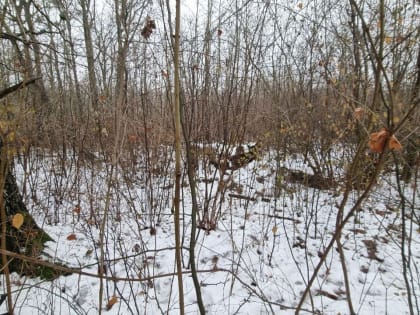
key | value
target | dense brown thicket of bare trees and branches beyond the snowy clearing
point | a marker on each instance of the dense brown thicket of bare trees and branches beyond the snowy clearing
(249, 71)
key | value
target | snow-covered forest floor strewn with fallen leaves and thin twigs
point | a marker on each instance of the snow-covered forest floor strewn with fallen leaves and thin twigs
(268, 240)
